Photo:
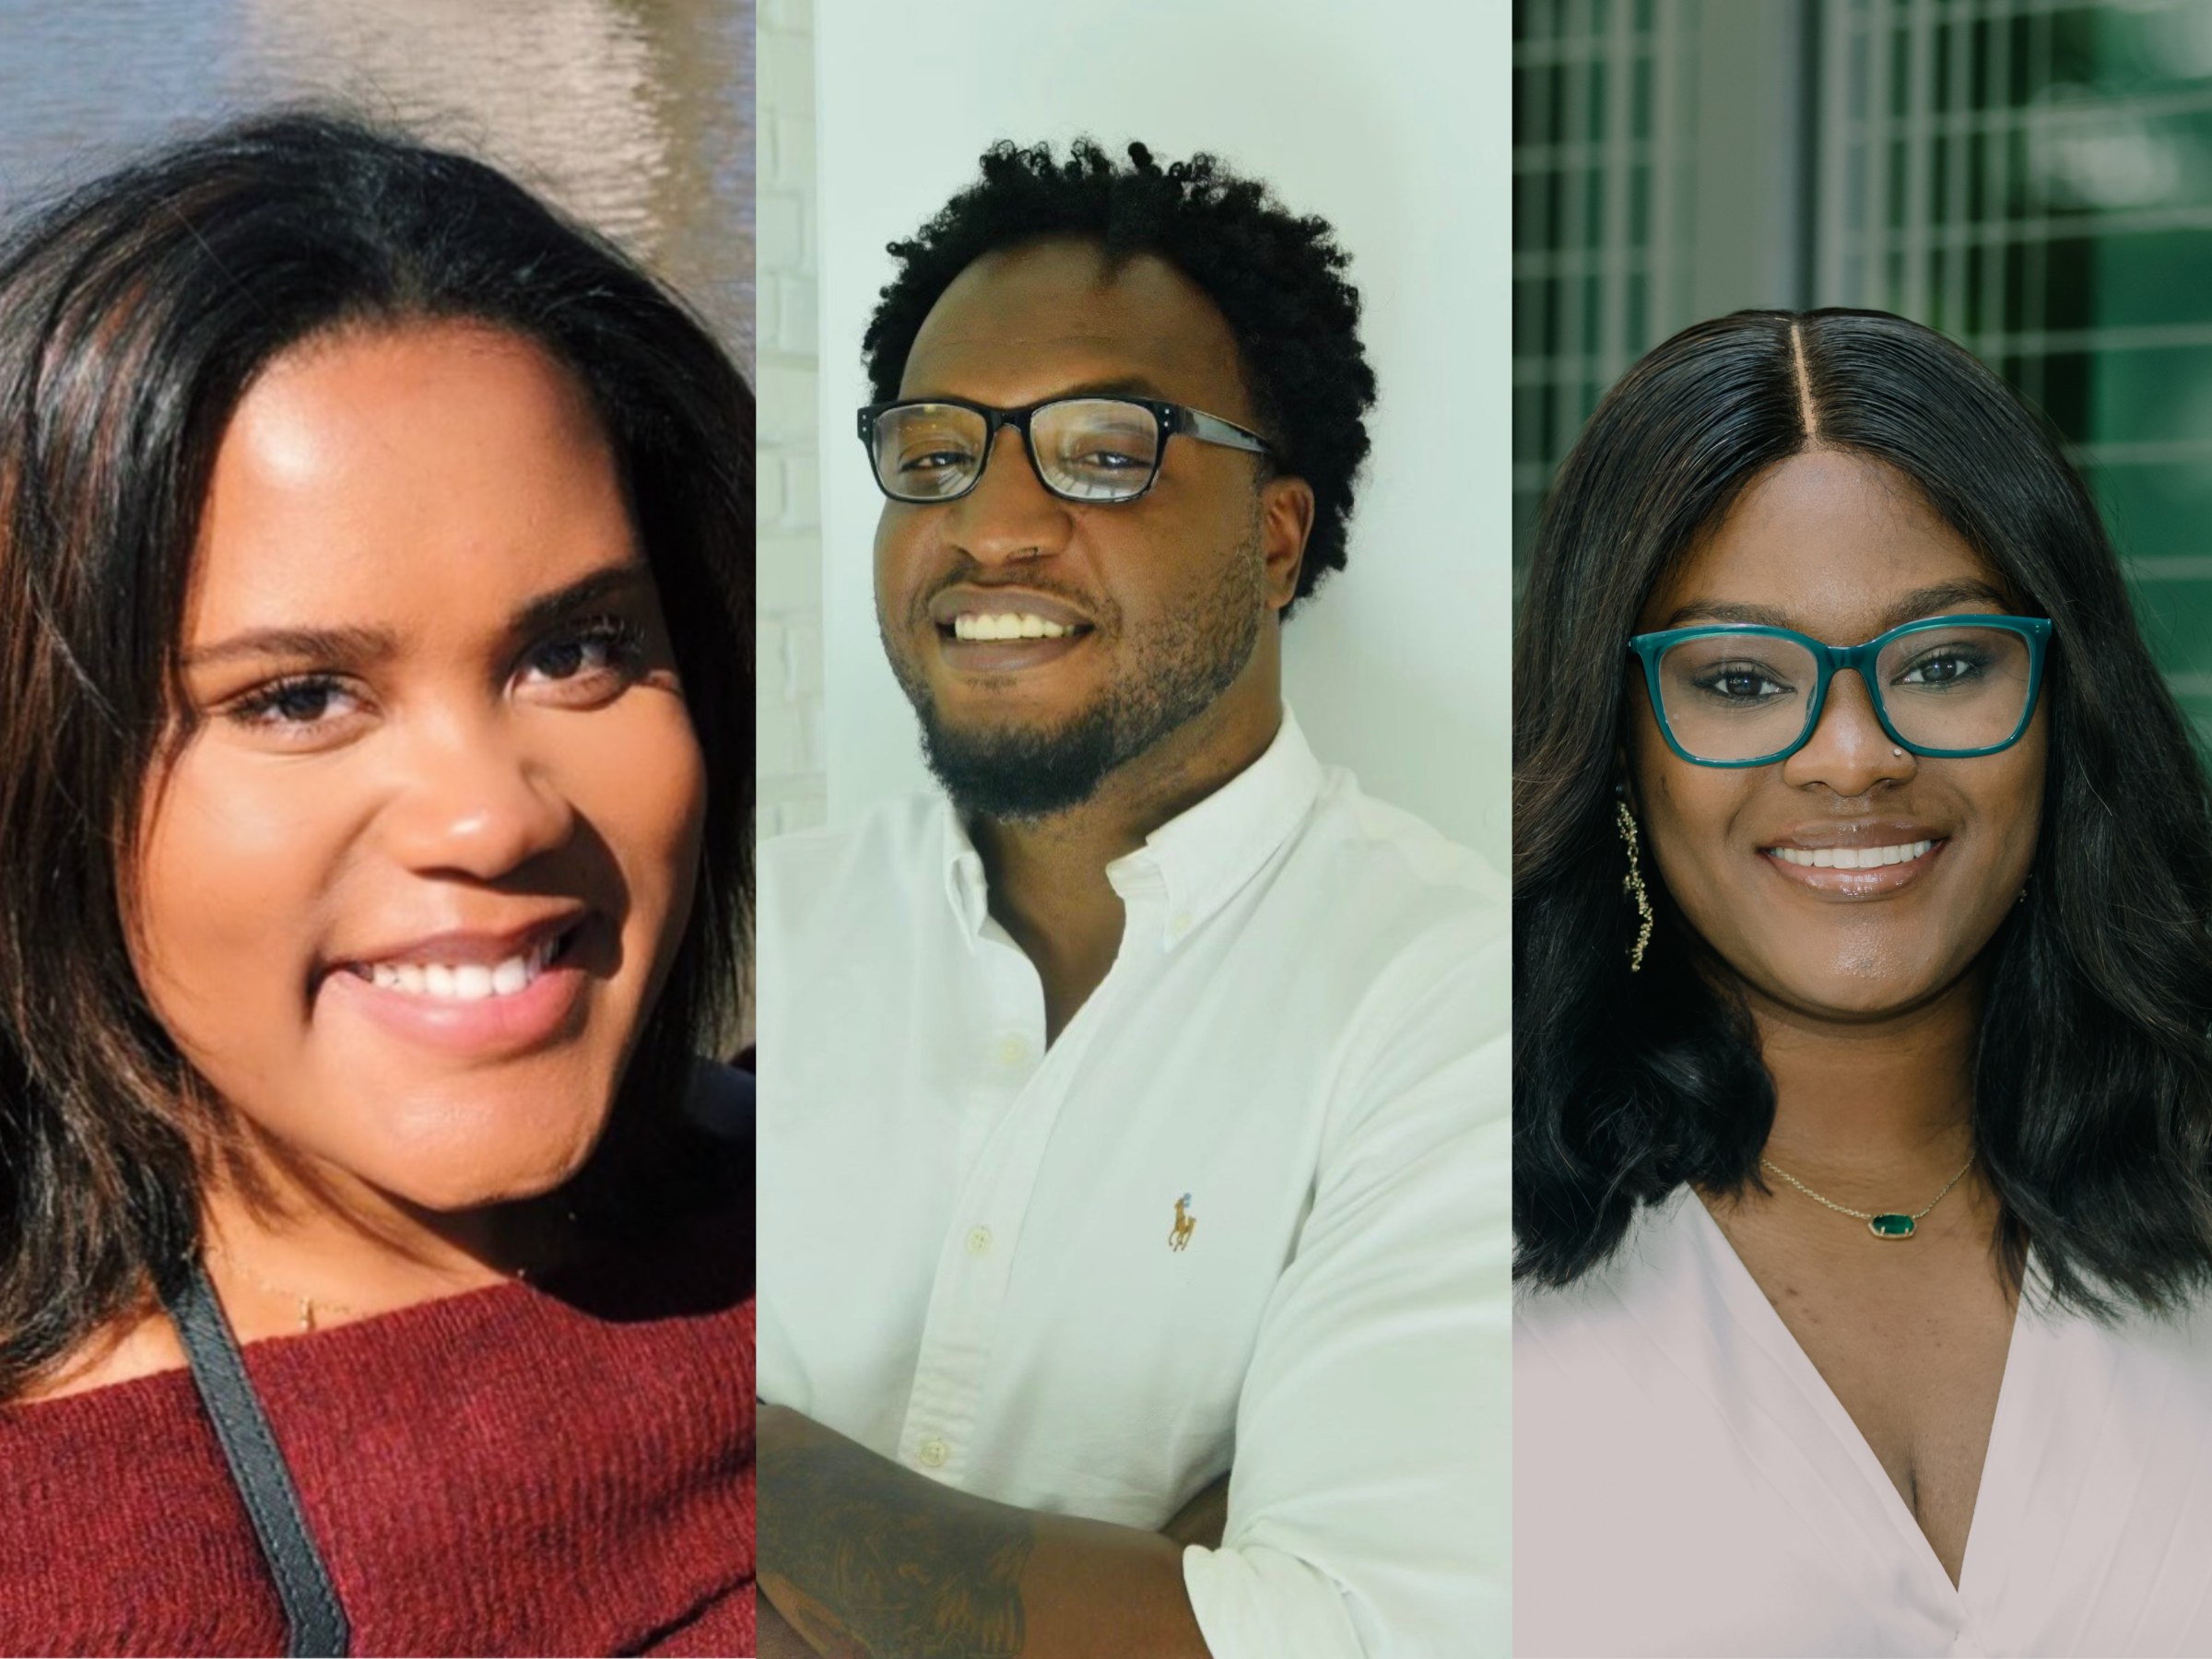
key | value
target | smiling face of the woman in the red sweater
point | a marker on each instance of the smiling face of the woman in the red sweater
(413, 881)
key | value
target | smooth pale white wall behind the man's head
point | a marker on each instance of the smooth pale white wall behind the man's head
(1392, 123)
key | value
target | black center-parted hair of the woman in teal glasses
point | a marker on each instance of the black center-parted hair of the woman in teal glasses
(2094, 1074)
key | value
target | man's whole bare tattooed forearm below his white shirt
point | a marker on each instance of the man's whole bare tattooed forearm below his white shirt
(866, 1558)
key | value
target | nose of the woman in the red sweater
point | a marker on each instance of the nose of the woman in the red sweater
(474, 802)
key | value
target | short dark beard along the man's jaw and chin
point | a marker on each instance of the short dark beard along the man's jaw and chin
(1169, 674)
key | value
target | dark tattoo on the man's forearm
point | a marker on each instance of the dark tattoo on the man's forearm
(862, 1567)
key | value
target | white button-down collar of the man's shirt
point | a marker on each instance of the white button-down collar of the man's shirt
(1196, 862)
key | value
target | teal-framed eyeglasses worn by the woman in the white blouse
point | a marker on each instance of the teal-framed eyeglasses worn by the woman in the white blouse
(1753, 696)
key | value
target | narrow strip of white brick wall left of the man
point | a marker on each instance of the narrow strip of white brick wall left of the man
(791, 574)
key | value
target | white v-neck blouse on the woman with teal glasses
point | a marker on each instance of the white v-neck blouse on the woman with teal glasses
(1684, 1481)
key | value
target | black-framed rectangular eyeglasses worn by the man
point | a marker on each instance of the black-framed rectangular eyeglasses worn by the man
(1085, 450)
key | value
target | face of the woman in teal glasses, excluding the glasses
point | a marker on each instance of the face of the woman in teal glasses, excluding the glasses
(1837, 547)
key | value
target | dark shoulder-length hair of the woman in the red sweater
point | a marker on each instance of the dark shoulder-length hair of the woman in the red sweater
(134, 315)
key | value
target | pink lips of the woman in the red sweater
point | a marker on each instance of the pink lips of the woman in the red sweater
(545, 1012)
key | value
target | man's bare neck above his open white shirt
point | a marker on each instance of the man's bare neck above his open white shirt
(1050, 875)
